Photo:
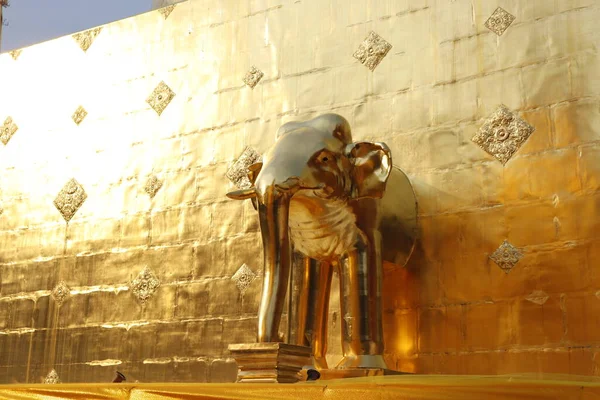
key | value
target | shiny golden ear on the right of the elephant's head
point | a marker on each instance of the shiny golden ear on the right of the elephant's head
(372, 165)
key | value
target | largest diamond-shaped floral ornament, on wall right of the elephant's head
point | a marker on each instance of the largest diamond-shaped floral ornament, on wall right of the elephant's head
(502, 134)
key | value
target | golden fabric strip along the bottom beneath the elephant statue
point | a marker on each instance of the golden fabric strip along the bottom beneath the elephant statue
(421, 387)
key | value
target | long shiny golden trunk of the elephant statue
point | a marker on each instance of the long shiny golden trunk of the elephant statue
(273, 213)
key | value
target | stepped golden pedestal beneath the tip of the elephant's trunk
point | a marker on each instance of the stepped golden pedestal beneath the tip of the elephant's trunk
(270, 362)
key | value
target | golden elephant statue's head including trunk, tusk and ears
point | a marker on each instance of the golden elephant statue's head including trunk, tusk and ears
(314, 160)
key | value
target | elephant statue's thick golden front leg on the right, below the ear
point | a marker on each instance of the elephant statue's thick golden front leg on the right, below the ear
(360, 291)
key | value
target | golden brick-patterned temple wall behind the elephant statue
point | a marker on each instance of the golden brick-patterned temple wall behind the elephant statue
(452, 310)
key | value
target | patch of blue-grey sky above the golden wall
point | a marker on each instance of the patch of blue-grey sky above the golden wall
(34, 21)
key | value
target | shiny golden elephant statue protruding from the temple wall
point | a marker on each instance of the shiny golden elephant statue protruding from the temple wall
(318, 196)
